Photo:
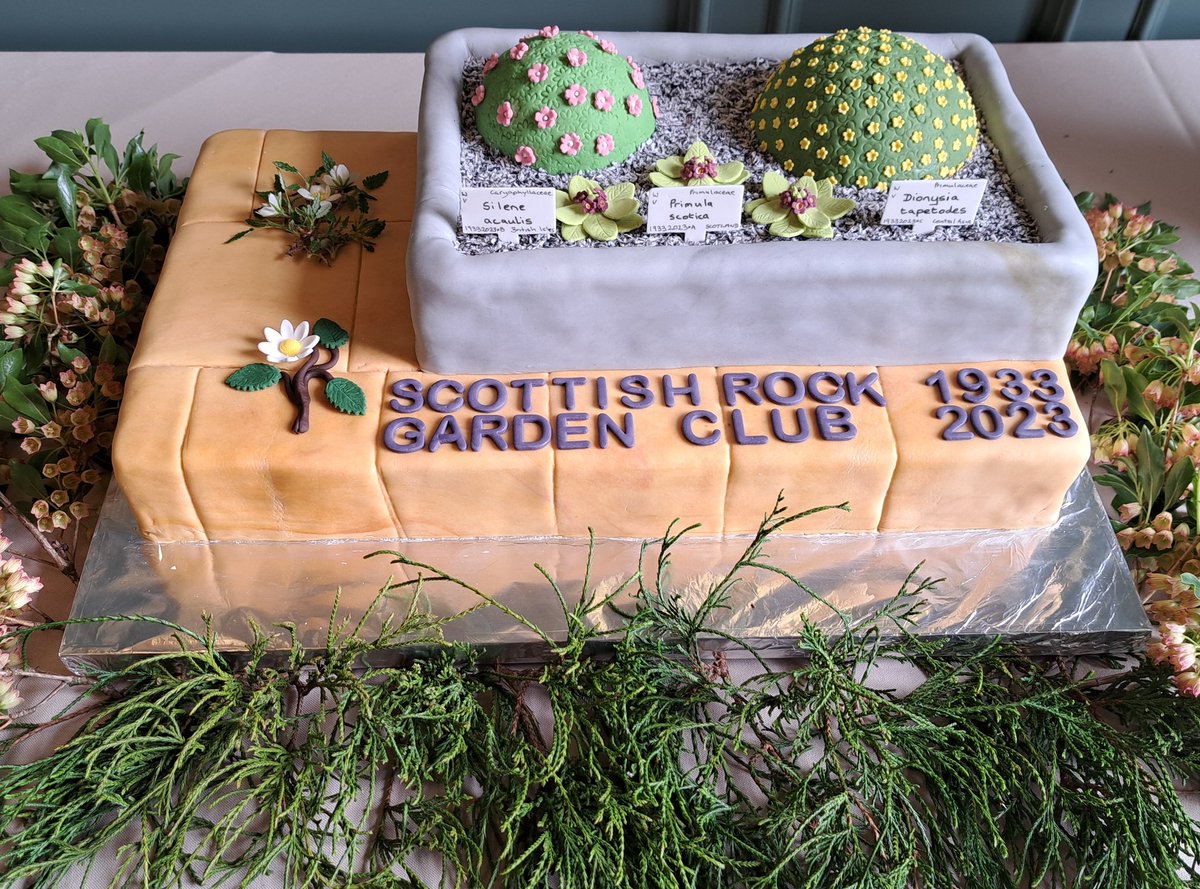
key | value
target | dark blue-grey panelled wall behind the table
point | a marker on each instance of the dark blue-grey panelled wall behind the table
(405, 26)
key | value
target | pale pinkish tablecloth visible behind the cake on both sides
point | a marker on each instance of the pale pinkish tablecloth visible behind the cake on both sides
(1120, 118)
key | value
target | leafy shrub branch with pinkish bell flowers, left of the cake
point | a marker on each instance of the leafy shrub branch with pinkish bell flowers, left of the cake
(86, 242)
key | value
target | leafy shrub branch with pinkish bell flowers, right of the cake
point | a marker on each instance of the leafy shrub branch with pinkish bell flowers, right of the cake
(1137, 339)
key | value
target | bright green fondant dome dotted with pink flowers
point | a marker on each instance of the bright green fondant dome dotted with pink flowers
(563, 103)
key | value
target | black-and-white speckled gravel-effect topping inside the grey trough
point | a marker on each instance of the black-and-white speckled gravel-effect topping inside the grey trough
(711, 103)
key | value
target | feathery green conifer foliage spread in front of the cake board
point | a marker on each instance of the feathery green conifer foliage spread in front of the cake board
(658, 768)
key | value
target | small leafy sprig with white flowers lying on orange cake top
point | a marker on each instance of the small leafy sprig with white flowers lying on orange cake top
(322, 213)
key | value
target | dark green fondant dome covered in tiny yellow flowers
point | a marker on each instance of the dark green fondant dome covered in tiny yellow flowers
(866, 107)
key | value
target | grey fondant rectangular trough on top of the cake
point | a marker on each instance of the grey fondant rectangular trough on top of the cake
(778, 303)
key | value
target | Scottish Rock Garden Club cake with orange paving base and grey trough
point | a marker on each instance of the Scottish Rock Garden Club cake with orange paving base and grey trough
(553, 392)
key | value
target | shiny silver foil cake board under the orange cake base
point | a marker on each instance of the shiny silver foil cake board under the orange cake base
(1064, 590)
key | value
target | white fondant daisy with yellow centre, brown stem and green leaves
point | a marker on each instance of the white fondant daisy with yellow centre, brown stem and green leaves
(290, 345)
